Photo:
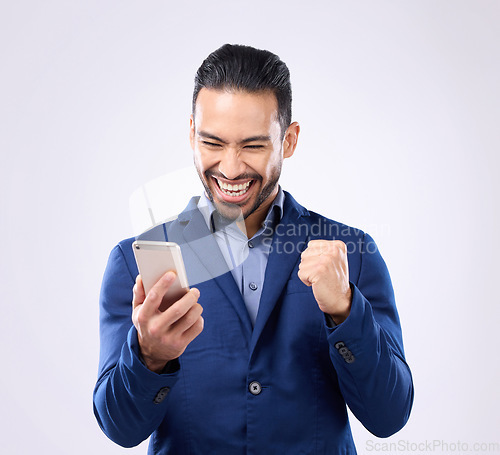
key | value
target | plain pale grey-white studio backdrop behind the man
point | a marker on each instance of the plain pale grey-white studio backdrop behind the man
(399, 107)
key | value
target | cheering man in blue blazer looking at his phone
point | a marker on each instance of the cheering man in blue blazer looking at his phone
(304, 325)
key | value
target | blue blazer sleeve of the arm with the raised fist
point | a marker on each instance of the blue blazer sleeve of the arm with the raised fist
(367, 350)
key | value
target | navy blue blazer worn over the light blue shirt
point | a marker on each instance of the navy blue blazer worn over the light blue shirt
(280, 387)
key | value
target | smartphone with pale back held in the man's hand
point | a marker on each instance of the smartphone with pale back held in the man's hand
(154, 259)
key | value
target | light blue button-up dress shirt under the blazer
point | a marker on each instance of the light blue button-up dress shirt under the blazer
(246, 258)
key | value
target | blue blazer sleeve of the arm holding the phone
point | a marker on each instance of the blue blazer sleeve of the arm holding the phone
(129, 400)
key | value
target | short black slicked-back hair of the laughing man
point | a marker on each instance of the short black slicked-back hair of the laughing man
(237, 67)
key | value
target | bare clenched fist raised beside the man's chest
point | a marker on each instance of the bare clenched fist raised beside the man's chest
(323, 266)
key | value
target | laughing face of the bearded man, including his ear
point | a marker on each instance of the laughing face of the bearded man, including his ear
(238, 151)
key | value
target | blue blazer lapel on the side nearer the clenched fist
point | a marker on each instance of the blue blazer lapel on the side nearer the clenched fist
(289, 240)
